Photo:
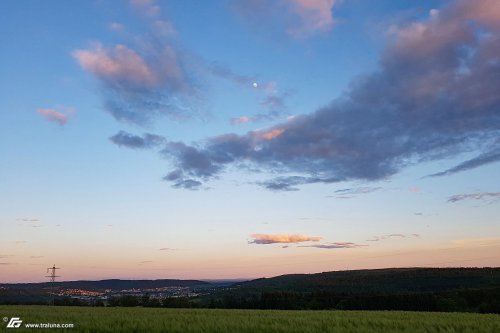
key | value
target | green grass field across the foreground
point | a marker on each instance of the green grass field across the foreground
(86, 319)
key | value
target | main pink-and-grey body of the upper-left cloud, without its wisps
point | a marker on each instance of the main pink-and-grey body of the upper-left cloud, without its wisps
(141, 84)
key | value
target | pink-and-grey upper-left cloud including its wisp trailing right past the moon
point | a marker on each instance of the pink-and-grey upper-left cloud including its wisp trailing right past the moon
(149, 75)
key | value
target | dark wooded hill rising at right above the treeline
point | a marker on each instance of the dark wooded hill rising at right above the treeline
(379, 281)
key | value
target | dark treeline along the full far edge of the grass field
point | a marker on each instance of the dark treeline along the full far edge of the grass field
(482, 301)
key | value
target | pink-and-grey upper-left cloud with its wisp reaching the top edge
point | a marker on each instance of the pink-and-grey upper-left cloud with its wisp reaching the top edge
(146, 76)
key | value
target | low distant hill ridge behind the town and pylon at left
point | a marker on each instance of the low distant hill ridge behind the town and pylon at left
(113, 284)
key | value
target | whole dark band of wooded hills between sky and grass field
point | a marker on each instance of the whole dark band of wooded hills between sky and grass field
(409, 289)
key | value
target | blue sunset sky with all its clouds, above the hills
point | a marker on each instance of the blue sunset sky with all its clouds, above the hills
(247, 138)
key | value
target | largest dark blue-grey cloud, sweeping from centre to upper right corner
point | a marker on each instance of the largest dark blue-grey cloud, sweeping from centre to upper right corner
(435, 95)
